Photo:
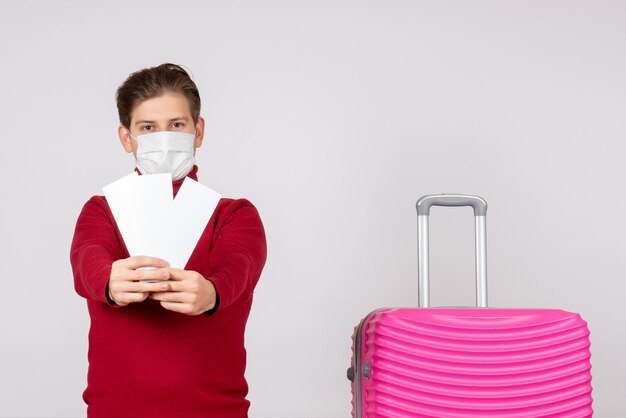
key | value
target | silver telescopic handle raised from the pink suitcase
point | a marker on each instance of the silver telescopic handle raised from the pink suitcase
(423, 212)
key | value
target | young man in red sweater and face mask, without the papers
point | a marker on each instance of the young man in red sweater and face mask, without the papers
(172, 346)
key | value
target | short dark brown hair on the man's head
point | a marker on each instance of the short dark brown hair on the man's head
(153, 82)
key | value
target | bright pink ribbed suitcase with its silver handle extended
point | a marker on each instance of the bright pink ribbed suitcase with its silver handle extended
(469, 362)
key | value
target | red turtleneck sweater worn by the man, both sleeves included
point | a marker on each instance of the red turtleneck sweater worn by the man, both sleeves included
(146, 361)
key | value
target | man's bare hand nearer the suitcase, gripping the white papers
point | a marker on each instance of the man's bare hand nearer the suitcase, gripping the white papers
(189, 293)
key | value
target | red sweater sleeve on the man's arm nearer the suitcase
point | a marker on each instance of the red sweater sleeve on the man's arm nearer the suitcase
(238, 254)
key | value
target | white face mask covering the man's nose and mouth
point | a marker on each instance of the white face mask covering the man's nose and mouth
(165, 152)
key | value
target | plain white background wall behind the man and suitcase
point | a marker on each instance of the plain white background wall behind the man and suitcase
(333, 117)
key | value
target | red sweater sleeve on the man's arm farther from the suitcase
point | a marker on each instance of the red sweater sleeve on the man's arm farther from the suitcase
(94, 249)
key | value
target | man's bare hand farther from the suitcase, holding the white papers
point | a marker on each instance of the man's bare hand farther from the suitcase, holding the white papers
(126, 283)
